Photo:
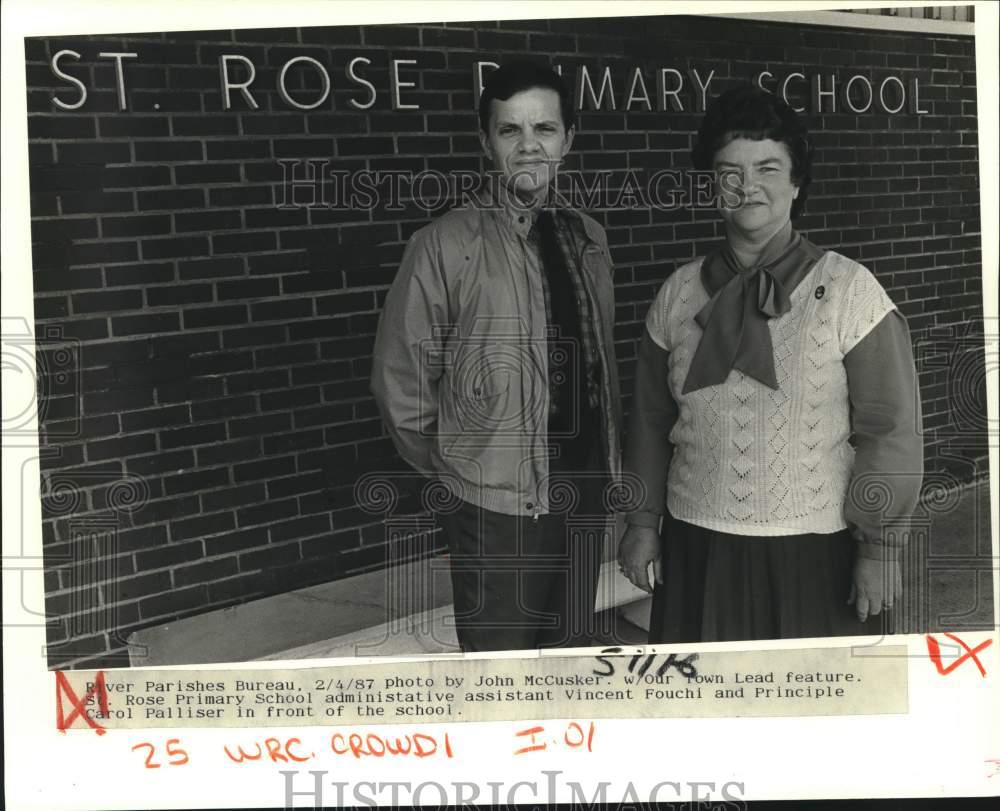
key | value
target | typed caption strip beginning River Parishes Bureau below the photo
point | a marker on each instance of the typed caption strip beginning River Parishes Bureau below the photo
(612, 684)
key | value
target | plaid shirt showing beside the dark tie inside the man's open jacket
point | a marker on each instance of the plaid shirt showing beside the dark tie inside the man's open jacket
(572, 240)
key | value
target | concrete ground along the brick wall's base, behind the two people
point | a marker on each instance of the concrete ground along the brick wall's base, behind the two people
(948, 570)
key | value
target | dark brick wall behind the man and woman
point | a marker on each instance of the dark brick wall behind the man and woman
(205, 411)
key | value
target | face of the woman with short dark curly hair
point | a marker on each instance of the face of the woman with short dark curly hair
(755, 185)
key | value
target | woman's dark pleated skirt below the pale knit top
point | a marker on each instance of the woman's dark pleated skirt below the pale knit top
(720, 587)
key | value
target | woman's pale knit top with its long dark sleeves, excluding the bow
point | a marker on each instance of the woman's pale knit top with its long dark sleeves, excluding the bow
(835, 445)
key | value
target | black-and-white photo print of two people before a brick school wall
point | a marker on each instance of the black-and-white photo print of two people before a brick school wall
(447, 338)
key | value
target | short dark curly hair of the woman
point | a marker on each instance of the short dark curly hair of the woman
(749, 112)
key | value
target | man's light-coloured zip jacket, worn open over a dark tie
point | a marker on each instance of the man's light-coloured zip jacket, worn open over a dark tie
(460, 370)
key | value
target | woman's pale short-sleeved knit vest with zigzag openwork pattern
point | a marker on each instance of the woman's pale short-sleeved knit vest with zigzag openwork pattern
(751, 460)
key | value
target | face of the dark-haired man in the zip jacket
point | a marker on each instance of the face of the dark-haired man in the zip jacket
(527, 140)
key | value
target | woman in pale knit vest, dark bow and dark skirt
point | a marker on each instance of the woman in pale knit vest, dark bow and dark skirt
(776, 406)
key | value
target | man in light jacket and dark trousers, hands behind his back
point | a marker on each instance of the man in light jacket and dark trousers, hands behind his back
(494, 371)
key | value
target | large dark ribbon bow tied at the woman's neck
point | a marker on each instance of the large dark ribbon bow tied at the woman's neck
(734, 321)
